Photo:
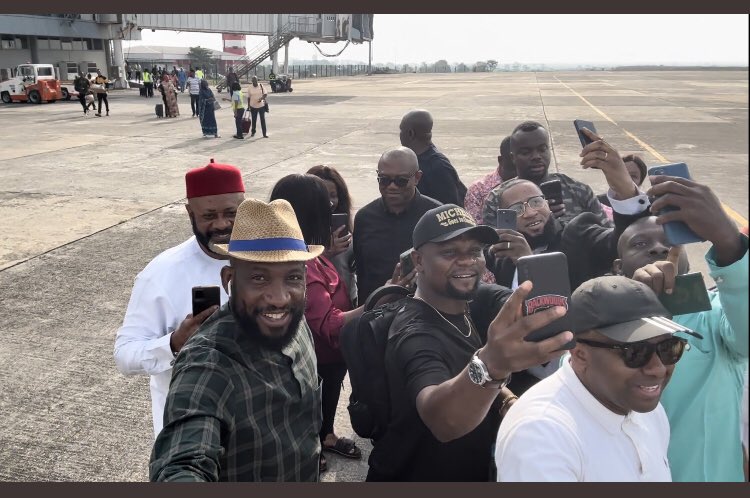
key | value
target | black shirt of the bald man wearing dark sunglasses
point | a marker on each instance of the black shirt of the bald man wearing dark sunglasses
(379, 239)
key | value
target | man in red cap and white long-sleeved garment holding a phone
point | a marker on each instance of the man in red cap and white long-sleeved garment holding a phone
(158, 320)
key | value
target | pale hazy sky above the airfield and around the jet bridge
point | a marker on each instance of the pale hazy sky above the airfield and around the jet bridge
(528, 38)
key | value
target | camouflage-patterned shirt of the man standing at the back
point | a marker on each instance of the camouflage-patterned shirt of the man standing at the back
(577, 197)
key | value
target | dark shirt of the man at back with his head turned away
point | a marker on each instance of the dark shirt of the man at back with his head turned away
(439, 178)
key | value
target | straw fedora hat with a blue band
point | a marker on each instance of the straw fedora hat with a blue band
(267, 232)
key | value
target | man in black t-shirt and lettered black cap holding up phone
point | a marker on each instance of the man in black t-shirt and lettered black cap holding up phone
(450, 354)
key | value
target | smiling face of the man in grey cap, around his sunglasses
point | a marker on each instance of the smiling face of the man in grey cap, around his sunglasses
(619, 388)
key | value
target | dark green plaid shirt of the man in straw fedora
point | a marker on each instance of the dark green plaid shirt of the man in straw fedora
(239, 412)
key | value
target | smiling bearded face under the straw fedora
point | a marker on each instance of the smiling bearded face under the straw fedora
(267, 299)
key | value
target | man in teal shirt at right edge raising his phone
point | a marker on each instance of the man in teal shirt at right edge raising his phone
(703, 398)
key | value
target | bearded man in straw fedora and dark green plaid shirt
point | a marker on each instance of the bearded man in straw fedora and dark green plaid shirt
(244, 401)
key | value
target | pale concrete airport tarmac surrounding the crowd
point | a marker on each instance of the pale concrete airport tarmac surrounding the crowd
(86, 202)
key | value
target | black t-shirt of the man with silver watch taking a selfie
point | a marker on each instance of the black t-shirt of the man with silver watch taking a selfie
(423, 350)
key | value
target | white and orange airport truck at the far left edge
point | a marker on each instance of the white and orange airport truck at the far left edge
(34, 83)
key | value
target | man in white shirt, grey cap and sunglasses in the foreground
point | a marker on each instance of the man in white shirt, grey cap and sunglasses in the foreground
(598, 418)
